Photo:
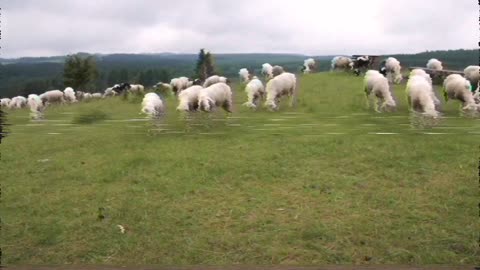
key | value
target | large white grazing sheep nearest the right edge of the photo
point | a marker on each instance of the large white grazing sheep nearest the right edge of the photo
(457, 87)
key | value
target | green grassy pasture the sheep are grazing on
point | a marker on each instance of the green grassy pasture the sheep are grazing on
(326, 182)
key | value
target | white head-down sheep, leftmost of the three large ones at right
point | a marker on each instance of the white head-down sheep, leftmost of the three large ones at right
(376, 84)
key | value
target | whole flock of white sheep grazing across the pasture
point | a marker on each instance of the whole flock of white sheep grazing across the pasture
(215, 91)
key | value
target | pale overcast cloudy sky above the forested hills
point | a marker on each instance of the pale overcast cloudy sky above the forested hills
(311, 27)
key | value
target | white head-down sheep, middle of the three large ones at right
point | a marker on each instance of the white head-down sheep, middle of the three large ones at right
(419, 96)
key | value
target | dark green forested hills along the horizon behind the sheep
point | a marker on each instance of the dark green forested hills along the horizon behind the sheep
(23, 76)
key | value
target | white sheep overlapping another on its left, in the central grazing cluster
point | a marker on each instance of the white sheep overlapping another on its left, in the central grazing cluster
(219, 94)
